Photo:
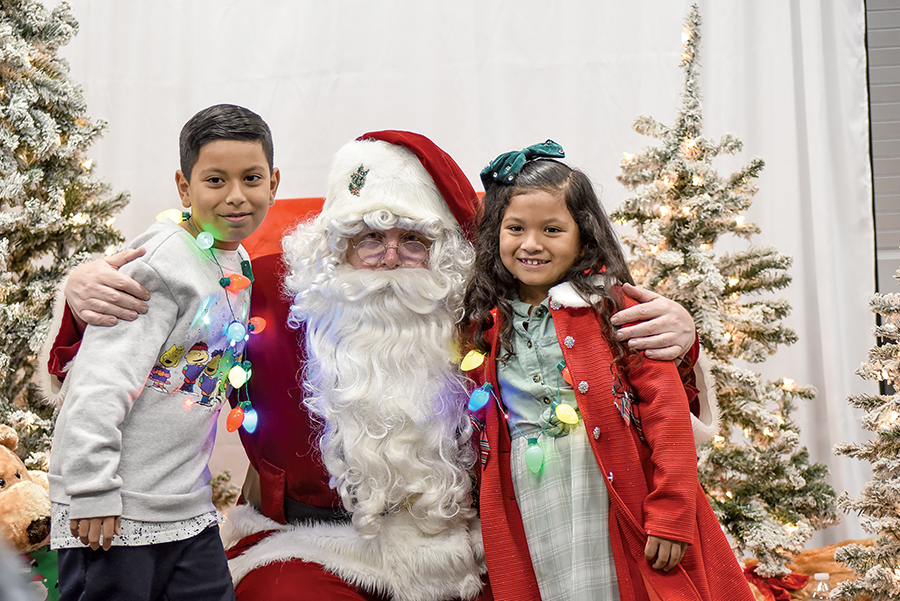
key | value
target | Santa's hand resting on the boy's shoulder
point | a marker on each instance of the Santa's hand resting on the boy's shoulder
(98, 294)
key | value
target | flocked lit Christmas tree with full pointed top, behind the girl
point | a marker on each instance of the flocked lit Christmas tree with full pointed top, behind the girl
(759, 480)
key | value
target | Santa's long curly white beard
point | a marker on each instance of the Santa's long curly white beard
(396, 433)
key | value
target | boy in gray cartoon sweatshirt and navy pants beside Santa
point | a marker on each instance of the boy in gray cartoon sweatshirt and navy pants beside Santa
(129, 459)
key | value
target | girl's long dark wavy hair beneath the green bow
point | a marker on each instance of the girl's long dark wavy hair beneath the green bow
(599, 266)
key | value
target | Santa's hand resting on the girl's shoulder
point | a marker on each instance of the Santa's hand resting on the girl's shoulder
(659, 326)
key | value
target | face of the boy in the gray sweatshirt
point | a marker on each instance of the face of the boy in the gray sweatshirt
(230, 190)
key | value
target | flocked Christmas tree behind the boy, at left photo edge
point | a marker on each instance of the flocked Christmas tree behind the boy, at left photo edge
(53, 211)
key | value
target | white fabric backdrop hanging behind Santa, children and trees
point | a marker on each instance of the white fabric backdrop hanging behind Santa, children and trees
(483, 77)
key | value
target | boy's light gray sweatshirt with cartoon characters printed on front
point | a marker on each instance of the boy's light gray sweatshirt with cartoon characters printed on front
(138, 422)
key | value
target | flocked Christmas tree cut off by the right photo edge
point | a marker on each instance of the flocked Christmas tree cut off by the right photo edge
(877, 567)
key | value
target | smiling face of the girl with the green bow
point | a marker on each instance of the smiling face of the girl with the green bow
(539, 242)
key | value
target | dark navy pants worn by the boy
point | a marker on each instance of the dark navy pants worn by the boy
(194, 569)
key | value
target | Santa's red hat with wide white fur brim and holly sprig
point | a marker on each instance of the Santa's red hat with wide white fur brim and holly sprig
(404, 173)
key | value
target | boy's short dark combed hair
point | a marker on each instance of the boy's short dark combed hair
(222, 122)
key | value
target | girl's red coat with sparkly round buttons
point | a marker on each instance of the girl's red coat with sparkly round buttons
(653, 486)
